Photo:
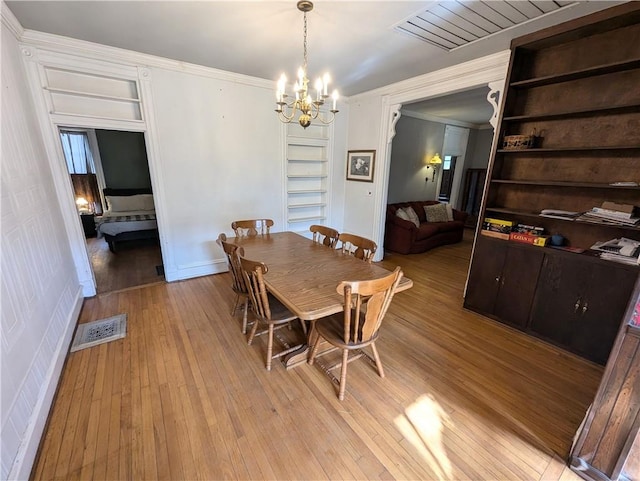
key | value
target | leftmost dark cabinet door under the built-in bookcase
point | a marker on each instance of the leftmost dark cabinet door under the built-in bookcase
(484, 277)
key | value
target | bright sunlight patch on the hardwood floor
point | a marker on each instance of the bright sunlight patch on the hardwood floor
(422, 424)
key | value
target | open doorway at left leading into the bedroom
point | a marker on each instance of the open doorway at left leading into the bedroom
(117, 160)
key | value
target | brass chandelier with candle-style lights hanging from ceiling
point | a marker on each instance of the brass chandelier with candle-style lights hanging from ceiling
(304, 103)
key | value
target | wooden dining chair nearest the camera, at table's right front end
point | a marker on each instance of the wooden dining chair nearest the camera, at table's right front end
(358, 326)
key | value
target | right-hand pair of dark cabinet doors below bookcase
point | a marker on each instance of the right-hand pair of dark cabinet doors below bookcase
(579, 305)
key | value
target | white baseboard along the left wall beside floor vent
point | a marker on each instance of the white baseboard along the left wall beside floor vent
(23, 463)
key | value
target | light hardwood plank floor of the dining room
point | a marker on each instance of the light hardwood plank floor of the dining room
(184, 397)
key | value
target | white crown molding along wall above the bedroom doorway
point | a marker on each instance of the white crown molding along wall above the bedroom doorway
(96, 51)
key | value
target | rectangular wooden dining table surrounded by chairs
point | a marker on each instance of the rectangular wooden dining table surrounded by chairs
(303, 275)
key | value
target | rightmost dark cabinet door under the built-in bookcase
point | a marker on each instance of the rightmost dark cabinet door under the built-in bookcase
(602, 307)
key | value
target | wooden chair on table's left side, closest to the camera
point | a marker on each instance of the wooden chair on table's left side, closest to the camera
(267, 310)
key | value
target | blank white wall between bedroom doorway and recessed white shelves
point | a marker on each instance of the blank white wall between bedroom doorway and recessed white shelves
(220, 156)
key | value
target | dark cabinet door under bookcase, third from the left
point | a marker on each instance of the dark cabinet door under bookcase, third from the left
(558, 297)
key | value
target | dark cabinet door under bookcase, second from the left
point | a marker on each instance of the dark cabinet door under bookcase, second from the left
(518, 284)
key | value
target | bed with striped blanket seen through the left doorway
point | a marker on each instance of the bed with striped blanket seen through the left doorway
(130, 215)
